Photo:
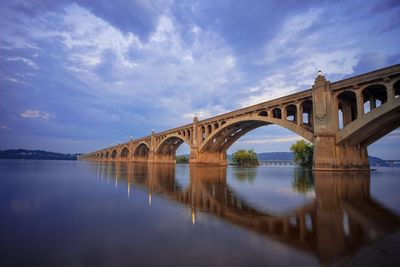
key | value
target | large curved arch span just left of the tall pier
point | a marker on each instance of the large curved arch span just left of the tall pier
(228, 133)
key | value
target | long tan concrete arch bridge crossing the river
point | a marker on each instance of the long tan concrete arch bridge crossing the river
(340, 118)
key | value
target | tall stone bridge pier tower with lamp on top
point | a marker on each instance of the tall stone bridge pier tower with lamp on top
(328, 155)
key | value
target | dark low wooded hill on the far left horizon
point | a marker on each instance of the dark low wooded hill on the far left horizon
(35, 154)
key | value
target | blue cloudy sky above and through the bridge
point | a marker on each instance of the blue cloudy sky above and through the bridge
(79, 75)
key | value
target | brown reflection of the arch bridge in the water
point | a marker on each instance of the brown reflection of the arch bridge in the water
(341, 219)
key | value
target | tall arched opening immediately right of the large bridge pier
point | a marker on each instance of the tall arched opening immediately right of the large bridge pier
(347, 108)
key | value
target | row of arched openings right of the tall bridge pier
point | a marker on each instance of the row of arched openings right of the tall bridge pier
(352, 104)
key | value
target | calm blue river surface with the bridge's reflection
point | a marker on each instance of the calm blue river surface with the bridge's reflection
(80, 213)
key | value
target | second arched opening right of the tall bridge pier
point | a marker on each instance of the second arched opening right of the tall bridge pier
(374, 96)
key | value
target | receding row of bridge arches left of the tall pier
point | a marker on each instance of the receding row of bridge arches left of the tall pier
(225, 133)
